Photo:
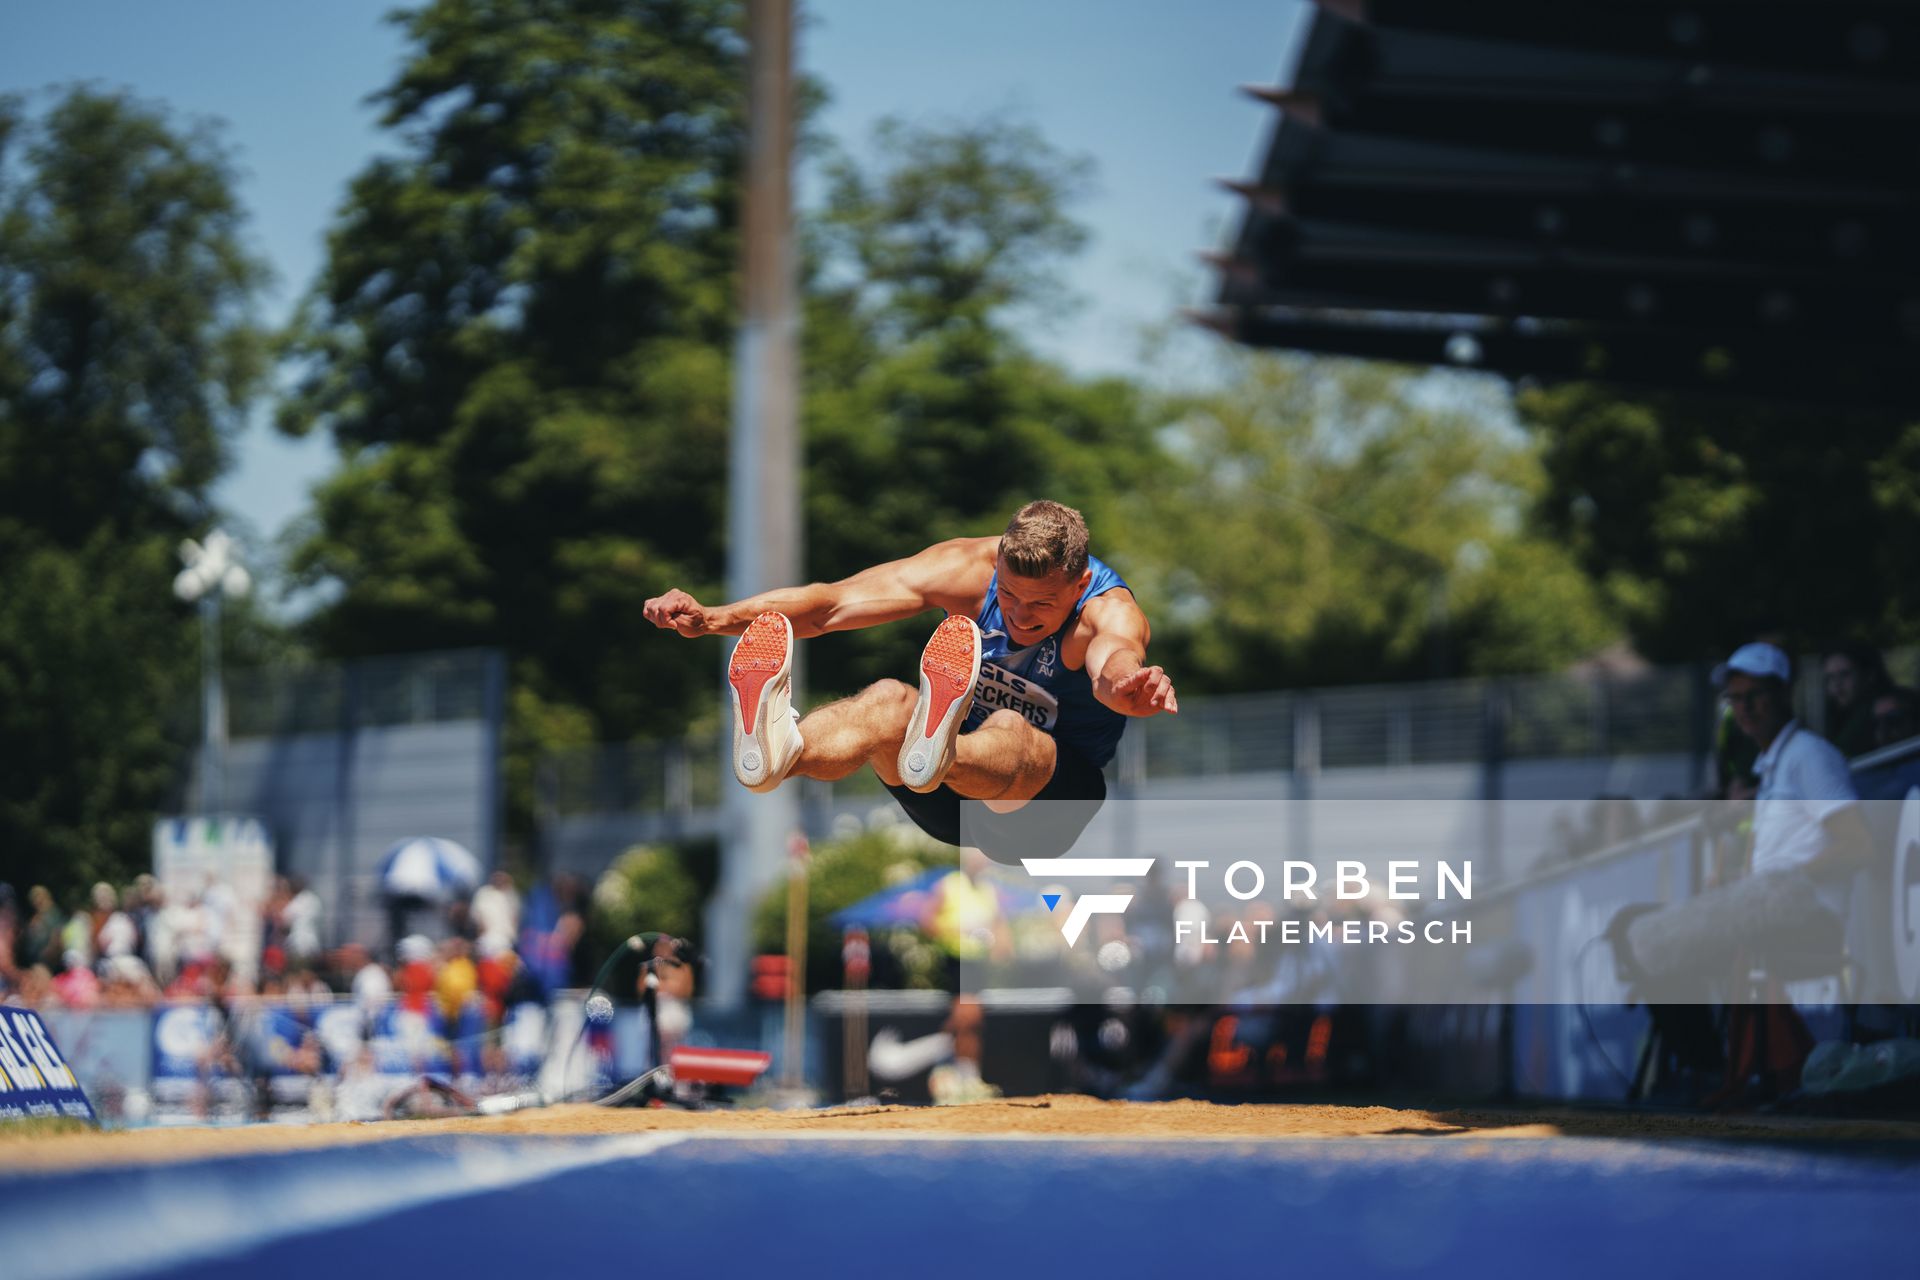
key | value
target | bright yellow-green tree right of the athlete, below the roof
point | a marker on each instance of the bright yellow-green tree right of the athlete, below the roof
(1351, 523)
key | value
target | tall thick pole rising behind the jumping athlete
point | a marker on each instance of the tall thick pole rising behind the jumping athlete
(763, 483)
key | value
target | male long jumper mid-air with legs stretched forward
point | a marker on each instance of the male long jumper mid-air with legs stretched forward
(1024, 688)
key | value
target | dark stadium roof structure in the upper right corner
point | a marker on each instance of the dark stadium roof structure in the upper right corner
(1712, 197)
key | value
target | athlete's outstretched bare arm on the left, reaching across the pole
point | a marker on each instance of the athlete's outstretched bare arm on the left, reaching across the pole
(949, 577)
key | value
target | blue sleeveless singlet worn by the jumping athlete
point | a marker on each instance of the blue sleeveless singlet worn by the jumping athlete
(1040, 686)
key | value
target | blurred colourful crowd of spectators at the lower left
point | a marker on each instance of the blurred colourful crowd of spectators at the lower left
(251, 1008)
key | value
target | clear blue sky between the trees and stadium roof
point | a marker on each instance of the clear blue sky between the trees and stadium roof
(1143, 87)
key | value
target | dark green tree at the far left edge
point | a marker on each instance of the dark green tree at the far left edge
(128, 358)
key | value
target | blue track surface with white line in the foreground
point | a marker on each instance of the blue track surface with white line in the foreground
(959, 1208)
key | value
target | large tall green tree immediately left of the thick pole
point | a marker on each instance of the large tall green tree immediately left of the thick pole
(521, 344)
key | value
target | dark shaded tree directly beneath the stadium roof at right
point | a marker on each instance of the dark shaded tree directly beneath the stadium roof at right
(1712, 523)
